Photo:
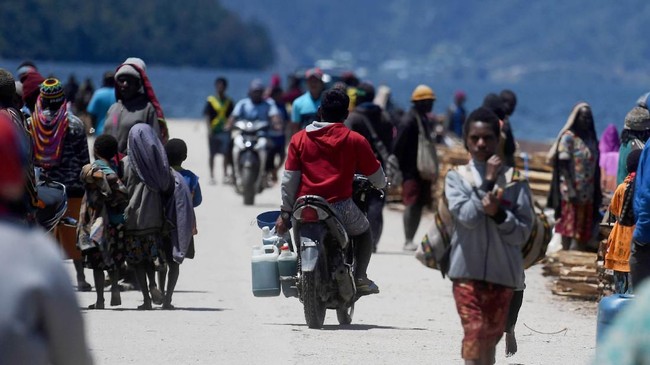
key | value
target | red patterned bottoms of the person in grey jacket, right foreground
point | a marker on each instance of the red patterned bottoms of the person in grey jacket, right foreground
(483, 310)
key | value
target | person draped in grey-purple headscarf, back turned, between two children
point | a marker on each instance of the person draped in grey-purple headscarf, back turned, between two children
(149, 182)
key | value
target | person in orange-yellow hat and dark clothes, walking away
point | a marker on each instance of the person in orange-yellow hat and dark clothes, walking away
(416, 189)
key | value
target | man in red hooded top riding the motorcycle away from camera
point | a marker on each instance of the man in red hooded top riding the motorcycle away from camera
(322, 160)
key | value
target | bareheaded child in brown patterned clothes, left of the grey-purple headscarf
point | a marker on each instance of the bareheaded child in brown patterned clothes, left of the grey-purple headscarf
(101, 219)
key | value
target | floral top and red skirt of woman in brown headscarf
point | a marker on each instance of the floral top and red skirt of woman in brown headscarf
(576, 220)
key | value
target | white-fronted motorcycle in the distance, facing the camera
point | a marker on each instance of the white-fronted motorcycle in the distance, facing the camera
(249, 157)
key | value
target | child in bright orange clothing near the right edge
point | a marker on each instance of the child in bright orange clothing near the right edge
(619, 243)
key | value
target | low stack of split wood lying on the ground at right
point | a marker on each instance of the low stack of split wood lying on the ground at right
(576, 272)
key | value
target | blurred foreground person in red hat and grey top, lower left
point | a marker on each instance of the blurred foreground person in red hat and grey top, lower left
(40, 320)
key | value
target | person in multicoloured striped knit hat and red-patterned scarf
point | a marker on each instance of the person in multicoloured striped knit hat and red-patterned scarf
(61, 151)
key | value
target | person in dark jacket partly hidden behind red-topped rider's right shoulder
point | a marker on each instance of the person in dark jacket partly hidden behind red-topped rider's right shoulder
(364, 116)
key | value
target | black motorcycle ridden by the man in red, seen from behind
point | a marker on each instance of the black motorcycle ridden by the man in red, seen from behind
(326, 259)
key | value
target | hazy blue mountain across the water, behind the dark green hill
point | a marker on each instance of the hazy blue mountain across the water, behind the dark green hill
(503, 40)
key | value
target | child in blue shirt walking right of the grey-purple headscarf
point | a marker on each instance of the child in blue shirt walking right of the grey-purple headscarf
(179, 244)
